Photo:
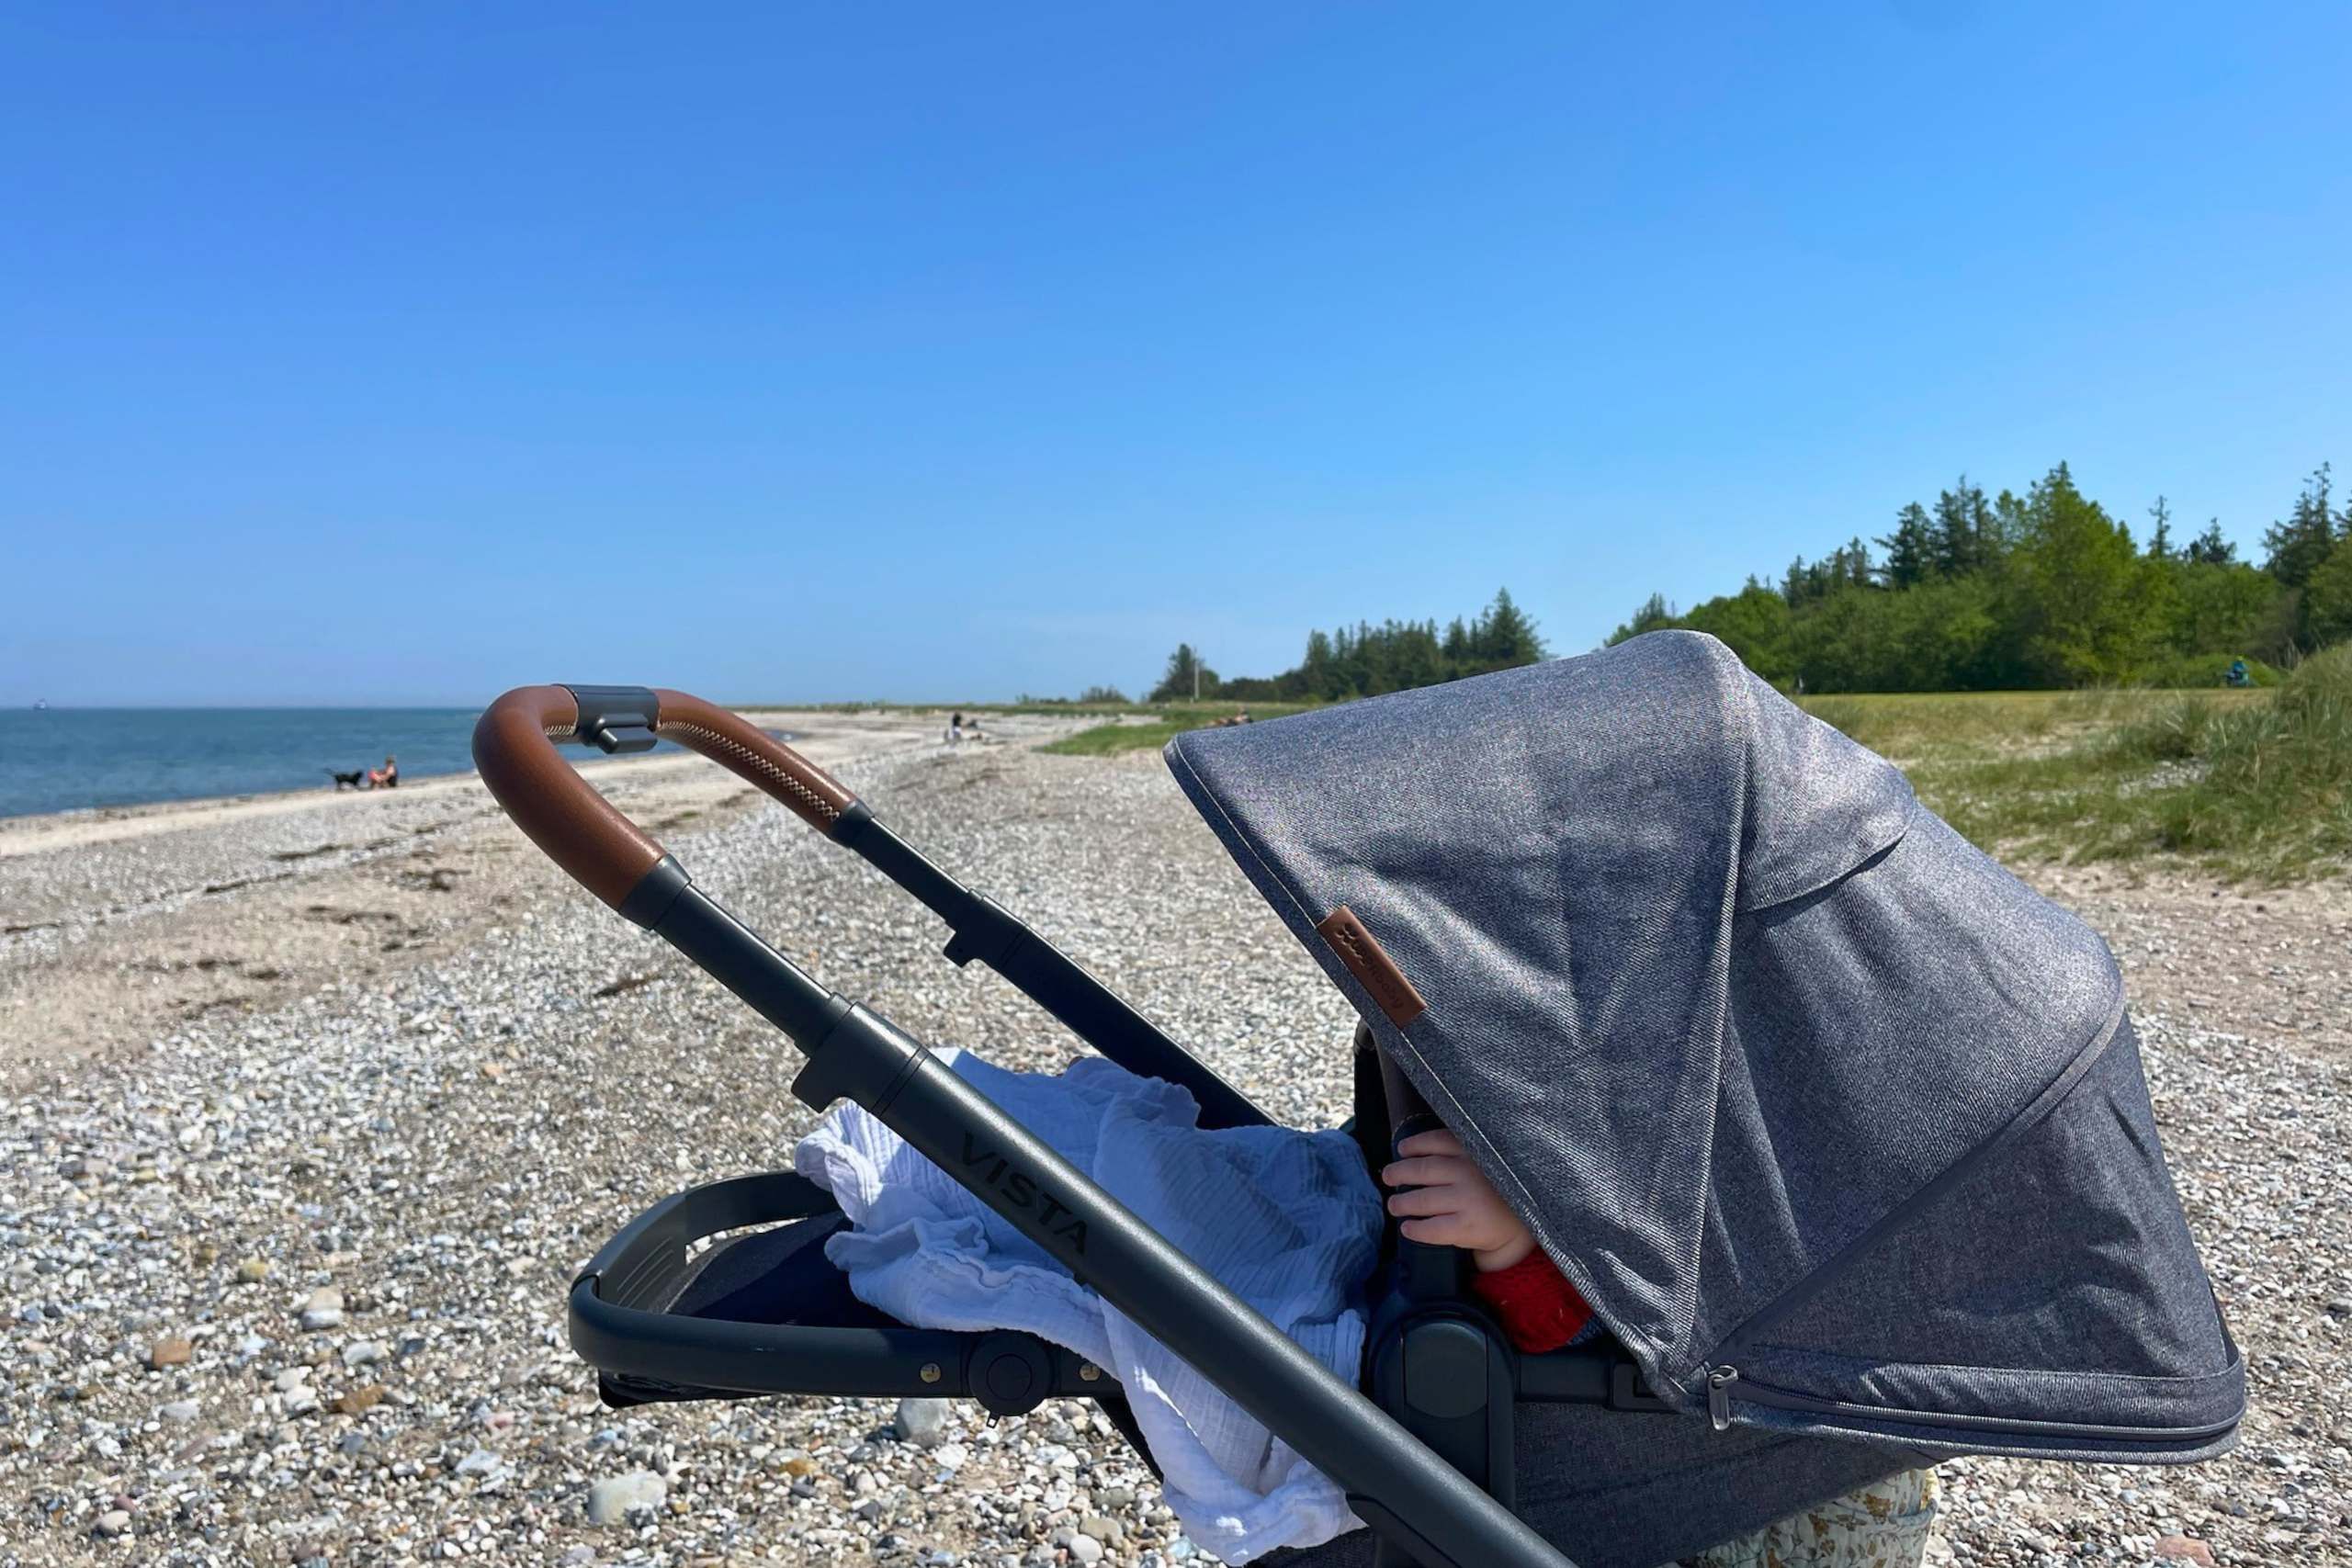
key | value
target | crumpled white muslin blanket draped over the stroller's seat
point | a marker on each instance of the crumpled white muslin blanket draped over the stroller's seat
(1288, 1221)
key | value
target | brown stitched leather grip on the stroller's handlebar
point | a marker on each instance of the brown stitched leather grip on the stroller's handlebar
(514, 746)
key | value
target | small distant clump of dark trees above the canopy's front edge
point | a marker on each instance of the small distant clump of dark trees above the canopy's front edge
(1370, 659)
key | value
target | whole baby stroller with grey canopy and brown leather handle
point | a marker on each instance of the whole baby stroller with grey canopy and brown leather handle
(1838, 1127)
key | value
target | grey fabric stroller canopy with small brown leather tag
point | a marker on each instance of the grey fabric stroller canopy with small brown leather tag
(1836, 1125)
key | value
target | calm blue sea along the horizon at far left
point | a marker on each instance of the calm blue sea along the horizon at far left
(74, 758)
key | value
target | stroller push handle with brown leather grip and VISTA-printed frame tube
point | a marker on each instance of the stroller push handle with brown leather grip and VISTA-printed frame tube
(1398, 1485)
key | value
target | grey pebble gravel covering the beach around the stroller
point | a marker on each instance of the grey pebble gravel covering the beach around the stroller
(288, 1285)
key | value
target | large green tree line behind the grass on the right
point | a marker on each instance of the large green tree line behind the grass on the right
(2045, 589)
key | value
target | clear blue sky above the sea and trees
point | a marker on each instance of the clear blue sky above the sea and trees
(380, 354)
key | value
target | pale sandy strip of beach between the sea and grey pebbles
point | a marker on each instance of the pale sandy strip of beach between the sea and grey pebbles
(123, 927)
